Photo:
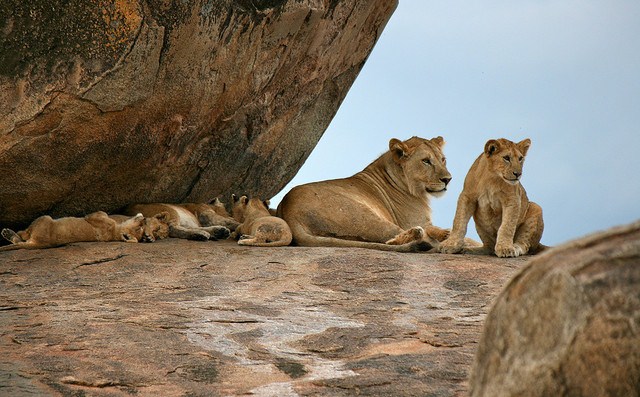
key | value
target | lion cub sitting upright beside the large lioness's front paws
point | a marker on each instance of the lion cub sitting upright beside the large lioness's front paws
(507, 222)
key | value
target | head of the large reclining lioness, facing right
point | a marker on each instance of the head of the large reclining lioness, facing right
(423, 164)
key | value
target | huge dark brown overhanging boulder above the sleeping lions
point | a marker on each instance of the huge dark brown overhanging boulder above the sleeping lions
(108, 103)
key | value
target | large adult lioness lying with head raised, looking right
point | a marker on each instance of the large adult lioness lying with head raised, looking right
(385, 206)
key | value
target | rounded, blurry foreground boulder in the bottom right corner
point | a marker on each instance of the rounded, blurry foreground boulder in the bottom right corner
(568, 324)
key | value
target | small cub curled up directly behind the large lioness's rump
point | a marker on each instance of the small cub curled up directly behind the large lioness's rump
(259, 228)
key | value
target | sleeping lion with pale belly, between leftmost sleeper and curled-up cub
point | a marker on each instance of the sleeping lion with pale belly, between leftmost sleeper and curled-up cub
(185, 220)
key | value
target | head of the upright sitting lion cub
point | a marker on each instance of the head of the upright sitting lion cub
(507, 158)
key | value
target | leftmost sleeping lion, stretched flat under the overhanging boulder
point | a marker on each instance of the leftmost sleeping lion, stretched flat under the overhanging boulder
(46, 232)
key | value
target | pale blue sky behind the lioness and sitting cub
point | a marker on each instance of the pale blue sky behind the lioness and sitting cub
(564, 73)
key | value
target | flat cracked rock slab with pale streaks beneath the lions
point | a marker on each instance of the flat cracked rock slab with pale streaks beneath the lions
(178, 317)
